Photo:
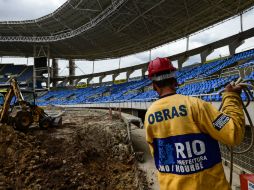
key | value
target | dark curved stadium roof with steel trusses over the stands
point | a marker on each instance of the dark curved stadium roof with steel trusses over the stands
(97, 29)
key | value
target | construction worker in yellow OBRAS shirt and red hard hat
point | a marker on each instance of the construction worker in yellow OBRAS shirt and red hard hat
(183, 133)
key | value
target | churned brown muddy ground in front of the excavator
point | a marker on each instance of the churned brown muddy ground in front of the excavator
(90, 151)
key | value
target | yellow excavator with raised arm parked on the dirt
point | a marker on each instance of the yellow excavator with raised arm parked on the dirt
(23, 114)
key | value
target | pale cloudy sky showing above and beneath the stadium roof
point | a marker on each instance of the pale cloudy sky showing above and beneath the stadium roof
(32, 9)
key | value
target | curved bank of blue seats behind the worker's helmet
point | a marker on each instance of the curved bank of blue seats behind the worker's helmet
(210, 77)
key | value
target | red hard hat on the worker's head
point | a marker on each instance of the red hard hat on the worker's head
(159, 65)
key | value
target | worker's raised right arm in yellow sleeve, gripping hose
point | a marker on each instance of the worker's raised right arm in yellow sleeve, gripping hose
(228, 125)
